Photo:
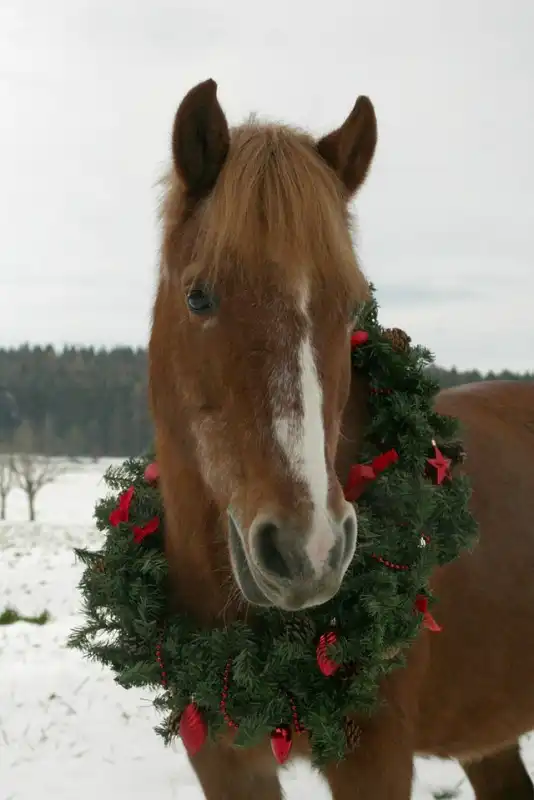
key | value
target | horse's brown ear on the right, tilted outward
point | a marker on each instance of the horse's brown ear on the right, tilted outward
(349, 150)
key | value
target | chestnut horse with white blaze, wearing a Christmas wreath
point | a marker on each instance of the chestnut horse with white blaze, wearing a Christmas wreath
(257, 420)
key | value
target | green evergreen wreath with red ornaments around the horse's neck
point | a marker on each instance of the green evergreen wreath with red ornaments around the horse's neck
(282, 674)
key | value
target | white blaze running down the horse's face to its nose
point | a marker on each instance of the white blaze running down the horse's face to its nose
(302, 438)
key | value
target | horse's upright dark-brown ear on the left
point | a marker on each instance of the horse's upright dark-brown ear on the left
(200, 139)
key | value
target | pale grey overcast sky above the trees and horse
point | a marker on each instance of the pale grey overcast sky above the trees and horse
(88, 91)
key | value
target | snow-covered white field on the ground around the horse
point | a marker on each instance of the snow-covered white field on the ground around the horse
(66, 729)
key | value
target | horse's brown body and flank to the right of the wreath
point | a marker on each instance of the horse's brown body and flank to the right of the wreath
(467, 693)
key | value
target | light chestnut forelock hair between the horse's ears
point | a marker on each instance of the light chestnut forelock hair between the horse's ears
(275, 199)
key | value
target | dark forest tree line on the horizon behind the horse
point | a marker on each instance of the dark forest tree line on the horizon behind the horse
(93, 402)
